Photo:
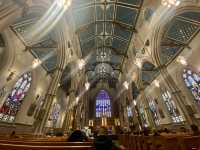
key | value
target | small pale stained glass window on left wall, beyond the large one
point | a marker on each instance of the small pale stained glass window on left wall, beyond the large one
(55, 112)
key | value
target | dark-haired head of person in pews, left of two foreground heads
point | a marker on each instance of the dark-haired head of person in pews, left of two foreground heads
(77, 136)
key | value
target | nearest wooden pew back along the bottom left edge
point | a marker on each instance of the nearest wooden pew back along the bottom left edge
(29, 147)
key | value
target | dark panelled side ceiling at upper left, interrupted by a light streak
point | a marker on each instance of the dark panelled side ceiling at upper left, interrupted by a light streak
(45, 49)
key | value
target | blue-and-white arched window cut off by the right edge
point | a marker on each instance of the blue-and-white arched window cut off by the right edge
(192, 81)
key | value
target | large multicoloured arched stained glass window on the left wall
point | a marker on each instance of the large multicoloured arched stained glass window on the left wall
(14, 100)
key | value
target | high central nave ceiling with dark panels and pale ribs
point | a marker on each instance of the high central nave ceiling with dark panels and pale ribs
(105, 28)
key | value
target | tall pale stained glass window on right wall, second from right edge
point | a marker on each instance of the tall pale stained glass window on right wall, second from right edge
(171, 107)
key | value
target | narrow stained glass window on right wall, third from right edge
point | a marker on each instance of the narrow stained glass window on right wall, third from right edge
(154, 112)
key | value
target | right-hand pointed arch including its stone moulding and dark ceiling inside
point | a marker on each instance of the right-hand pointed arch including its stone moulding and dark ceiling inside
(175, 34)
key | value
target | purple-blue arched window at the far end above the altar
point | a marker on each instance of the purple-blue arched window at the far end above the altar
(103, 104)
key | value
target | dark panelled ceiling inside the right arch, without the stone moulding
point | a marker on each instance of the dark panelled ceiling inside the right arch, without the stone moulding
(181, 30)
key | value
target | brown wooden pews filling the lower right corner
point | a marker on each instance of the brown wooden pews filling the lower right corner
(160, 142)
